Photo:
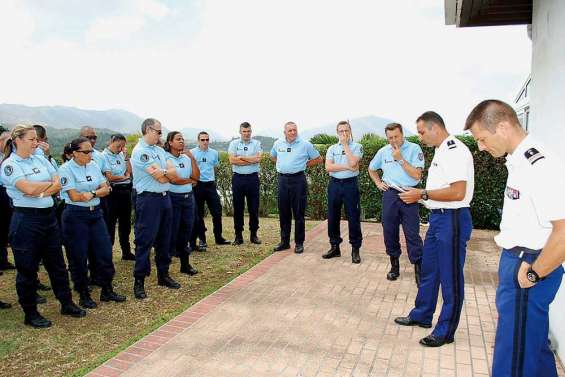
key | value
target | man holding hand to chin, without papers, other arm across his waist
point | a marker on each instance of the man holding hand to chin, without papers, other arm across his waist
(342, 163)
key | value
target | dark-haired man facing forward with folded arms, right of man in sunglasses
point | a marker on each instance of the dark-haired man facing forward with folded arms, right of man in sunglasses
(245, 155)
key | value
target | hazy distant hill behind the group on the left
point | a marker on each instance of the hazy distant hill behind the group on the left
(70, 117)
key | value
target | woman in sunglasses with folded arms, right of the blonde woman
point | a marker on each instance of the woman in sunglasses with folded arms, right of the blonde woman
(83, 223)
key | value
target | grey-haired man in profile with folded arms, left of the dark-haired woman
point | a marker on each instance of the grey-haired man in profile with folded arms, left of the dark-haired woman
(153, 208)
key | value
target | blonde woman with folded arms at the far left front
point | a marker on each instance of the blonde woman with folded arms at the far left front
(30, 182)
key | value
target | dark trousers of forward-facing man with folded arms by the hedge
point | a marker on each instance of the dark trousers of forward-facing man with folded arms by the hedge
(245, 187)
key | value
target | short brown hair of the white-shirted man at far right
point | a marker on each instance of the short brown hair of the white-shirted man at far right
(489, 113)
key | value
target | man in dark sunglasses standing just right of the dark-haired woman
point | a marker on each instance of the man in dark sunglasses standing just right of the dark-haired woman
(205, 192)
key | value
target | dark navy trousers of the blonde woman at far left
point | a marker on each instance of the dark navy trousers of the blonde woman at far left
(34, 237)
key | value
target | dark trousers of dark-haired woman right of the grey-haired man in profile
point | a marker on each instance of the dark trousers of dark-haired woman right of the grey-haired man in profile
(182, 223)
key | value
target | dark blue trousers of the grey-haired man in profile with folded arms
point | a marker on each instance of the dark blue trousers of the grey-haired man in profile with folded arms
(153, 221)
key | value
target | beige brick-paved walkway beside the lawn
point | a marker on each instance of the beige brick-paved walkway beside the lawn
(299, 315)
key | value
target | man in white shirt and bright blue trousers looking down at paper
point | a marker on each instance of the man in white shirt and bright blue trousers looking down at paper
(449, 190)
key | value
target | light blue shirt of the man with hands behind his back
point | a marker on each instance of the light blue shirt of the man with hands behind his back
(292, 157)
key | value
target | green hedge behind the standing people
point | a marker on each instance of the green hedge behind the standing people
(490, 178)
